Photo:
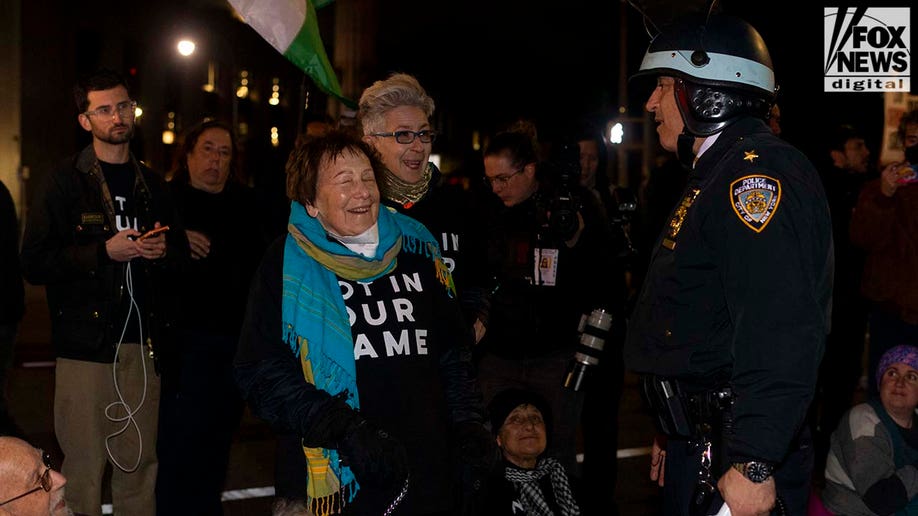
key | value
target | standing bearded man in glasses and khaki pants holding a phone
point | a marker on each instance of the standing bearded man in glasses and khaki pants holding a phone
(106, 296)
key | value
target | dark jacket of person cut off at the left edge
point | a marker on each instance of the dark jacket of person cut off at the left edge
(12, 295)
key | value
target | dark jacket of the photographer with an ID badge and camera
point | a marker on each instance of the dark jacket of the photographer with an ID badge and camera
(536, 316)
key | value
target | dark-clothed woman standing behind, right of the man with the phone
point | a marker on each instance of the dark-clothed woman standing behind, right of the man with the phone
(200, 406)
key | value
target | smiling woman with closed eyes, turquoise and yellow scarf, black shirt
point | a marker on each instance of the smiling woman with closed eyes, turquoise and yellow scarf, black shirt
(353, 345)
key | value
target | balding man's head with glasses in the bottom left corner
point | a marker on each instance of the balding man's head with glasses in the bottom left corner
(29, 485)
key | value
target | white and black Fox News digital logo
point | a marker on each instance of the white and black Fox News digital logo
(867, 49)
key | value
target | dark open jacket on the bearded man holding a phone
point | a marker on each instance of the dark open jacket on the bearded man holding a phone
(69, 222)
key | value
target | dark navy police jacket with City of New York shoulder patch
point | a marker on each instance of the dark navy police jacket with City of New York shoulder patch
(739, 286)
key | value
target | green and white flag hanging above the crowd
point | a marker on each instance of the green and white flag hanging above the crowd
(291, 27)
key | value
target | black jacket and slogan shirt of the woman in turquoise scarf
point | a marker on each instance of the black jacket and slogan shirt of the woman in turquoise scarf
(418, 397)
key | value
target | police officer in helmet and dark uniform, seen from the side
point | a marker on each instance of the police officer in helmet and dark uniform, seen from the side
(730, 325)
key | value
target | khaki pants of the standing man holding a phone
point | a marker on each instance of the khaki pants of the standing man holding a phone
(82, 392)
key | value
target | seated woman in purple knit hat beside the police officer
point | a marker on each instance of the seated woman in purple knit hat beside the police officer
(871, 468)
